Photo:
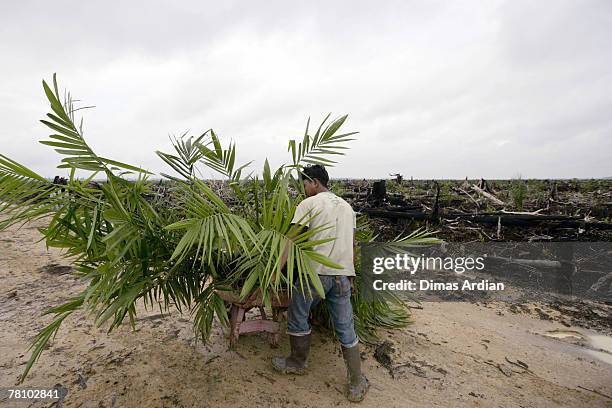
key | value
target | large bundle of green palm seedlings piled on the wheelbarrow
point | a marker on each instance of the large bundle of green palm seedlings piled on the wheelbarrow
(131, 243)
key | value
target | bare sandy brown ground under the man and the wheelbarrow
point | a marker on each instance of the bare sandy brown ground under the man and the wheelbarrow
(454, 354)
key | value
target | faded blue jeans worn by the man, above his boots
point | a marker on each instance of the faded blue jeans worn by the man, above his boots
(338, 299)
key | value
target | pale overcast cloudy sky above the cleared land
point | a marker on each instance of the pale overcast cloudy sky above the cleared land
(437, 89)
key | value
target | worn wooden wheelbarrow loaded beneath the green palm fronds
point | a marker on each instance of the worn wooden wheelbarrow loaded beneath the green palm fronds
(238, 309)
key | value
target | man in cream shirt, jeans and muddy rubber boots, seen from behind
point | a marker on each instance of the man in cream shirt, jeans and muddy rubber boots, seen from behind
(324, 208)
